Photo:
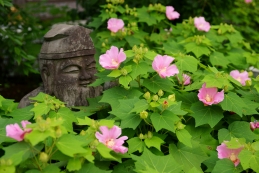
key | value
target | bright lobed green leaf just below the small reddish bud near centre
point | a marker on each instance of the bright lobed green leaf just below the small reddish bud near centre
(164, 121)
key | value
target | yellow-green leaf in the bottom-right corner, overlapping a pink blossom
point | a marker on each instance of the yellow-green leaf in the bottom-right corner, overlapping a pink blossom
(249, 159)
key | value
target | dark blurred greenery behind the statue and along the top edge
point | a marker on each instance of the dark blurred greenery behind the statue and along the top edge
(22, 30)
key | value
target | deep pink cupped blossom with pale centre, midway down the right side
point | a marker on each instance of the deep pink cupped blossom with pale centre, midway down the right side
(210, 96)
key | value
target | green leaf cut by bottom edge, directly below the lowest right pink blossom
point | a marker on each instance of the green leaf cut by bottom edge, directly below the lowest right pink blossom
(226, 166)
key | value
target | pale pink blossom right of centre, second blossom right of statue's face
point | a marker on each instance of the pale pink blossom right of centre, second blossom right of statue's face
(161, 64)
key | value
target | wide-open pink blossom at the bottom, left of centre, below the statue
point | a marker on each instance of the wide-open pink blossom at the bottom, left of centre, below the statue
(109, 137)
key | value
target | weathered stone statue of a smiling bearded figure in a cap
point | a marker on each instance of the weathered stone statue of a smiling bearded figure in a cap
(67, 66)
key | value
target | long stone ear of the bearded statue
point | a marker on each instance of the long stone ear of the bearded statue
(47, 79)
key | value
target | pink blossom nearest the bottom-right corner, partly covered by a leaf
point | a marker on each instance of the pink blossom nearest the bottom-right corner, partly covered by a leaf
(232, 154)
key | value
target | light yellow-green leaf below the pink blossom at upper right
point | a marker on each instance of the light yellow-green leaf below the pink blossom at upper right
(198, 50)
